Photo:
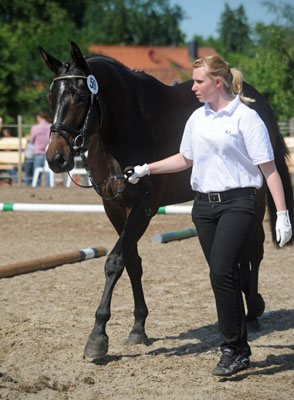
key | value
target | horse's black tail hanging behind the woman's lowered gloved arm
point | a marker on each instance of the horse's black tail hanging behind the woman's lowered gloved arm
(281, 155)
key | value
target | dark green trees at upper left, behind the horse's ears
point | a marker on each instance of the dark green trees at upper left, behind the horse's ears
(54, 23)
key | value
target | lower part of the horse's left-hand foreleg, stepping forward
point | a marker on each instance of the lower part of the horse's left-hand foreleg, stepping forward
(97, 344)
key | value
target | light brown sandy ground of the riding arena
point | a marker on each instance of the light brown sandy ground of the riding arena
(46, 316)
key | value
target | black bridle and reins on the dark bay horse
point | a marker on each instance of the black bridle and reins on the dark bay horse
(80, 135)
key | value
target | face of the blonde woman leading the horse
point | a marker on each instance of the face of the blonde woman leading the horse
(204, 87)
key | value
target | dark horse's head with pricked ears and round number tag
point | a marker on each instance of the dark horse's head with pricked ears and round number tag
(70, 98)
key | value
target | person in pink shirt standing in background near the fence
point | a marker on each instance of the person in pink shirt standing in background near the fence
(39, 136)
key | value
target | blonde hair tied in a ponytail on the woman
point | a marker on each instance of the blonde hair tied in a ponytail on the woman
(232, 78)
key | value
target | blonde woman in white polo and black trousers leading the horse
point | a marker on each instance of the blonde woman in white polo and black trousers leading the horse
(228, 147)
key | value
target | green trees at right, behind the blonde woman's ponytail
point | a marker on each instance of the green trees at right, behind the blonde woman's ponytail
(267, 62)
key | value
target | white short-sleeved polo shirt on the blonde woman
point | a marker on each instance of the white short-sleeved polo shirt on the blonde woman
(226, 147)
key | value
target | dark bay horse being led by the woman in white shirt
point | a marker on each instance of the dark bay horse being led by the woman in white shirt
(123, 118)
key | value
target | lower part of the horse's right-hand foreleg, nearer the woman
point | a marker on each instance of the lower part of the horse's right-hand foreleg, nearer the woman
(134, 269)
